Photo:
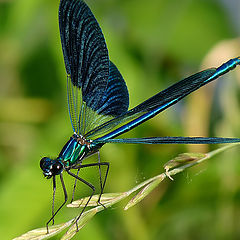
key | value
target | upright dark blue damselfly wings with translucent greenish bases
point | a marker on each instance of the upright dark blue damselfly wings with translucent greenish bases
(92, 78)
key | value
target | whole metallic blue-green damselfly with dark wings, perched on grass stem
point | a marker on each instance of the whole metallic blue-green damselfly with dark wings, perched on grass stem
(98, 100)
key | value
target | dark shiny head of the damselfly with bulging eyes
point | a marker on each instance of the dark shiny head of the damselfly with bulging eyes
(51, 167)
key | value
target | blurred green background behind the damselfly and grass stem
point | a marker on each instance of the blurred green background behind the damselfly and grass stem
(154, 44)
